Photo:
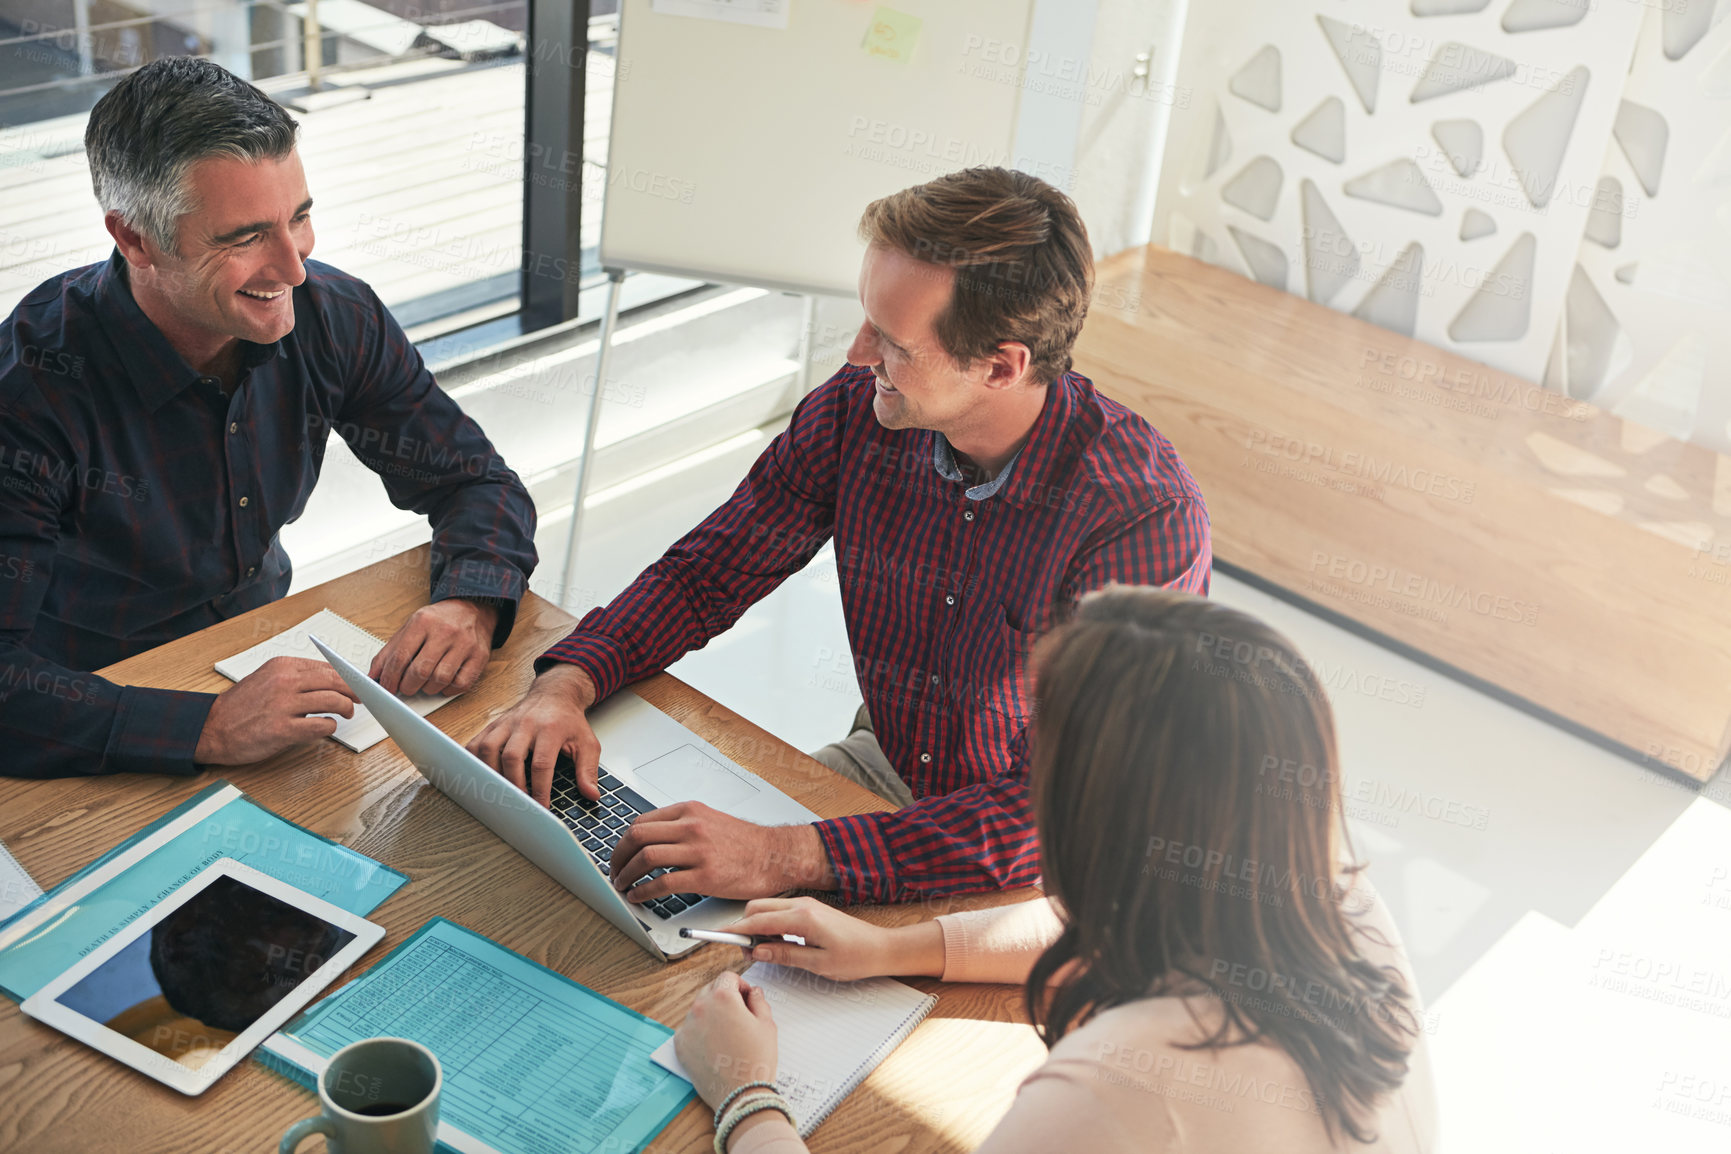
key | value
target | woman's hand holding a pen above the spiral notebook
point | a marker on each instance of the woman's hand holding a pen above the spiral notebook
(837, 946)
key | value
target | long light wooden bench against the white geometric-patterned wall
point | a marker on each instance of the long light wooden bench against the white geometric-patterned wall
(1545, 549)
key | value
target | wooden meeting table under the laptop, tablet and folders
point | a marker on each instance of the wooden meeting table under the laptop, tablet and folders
(943, 1091)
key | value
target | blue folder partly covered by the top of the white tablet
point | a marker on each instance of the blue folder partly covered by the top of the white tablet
(42, 940)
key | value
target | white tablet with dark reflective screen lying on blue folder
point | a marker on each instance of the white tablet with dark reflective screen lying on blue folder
(205, 975)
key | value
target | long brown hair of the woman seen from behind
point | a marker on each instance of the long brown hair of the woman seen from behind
(1187, 792)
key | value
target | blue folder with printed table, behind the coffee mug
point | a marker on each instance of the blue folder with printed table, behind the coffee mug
(534, 1061)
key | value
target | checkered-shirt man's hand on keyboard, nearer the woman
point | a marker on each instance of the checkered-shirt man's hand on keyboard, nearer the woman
(719, 856)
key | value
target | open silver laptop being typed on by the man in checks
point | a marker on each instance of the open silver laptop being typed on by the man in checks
(648, 760)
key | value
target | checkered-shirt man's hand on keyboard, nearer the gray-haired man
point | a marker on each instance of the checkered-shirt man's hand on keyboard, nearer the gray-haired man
(532, 734)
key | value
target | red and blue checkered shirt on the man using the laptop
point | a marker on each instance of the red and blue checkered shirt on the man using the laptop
(943, 594)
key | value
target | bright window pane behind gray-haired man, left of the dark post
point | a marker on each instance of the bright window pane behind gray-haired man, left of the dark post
(411, 132)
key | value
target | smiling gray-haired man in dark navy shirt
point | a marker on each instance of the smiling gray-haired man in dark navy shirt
(165, 413)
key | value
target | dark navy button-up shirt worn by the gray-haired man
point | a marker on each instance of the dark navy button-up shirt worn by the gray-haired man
(141, 504)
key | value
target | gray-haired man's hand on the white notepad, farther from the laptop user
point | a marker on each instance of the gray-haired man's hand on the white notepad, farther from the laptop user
(267, 712)
